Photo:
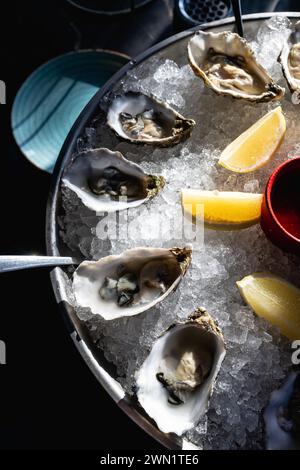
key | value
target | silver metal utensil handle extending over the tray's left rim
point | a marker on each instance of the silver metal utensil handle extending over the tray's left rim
(16, 262)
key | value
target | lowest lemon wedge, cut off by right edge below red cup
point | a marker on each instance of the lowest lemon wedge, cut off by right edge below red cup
(274, 299)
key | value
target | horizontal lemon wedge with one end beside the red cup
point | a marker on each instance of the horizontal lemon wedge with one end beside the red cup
(223, 210)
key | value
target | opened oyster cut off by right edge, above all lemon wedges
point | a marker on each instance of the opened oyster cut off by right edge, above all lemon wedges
(290, 60)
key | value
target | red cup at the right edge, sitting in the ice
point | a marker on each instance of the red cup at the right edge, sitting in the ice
(280, 216)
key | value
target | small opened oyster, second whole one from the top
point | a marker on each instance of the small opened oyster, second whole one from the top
(141, 118)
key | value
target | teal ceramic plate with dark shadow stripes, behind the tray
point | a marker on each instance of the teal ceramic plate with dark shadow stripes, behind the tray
(52, 97)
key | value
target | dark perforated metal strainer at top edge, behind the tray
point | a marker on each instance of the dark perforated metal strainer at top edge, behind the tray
(192, 12)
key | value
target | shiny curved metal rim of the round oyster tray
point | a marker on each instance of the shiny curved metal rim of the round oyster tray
(112, 387)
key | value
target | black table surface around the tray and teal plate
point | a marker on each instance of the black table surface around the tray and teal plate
(49, 398)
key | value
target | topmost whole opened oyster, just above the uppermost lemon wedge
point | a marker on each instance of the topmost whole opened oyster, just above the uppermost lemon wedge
(227, 64)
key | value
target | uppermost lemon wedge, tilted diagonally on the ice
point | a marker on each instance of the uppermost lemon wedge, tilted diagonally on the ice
(254, 147)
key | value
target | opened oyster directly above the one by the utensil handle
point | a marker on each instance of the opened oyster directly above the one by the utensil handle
(106, 182)
